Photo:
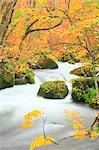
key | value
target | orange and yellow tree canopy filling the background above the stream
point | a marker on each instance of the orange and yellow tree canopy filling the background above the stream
(52, 27)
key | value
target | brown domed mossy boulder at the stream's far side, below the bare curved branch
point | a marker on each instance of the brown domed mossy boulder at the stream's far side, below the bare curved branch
(42, 62)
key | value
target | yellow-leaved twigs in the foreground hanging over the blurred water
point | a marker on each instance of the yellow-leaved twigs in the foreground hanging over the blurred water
(80, 129)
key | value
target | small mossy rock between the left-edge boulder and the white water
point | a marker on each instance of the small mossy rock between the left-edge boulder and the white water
(24, 78)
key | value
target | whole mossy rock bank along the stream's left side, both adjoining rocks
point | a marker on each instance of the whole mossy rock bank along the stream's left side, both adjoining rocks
(8, 78)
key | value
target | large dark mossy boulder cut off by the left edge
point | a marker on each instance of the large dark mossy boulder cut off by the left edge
(6, 77)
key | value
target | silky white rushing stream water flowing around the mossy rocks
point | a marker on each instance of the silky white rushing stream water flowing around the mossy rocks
(18, 101)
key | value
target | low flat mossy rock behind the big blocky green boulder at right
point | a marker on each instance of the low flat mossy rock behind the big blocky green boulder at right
(86, 70)
